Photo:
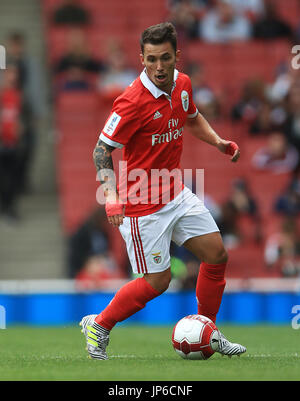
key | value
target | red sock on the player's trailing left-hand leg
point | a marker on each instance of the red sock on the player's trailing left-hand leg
(131, 298)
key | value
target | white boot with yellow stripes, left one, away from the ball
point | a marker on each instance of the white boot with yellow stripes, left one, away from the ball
(96, 336)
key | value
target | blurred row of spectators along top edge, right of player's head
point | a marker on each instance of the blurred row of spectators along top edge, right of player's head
(220, 21)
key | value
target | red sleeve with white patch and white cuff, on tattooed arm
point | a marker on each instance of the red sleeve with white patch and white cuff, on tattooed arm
(121, 124)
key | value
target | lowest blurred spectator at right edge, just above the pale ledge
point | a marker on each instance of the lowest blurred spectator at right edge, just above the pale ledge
(282, 249)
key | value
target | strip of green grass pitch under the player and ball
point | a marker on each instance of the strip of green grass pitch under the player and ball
(145, 353)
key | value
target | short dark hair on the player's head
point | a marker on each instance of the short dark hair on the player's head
(158, 34)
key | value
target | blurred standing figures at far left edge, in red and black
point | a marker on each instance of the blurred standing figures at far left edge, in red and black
(21, 106)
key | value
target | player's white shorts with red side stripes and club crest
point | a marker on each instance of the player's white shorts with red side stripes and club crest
(148, 238)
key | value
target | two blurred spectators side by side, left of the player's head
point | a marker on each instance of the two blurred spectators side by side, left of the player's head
(78, 70)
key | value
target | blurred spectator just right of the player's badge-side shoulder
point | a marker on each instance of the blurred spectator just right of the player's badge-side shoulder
(204, 97)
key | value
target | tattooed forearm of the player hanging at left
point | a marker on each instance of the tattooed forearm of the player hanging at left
(104, 164)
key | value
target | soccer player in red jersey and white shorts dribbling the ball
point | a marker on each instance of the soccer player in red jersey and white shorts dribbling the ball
(149, 208)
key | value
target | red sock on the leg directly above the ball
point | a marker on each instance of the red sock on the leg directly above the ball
(209, 289)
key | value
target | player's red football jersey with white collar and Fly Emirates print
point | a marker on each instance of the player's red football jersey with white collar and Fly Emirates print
(148, 124)
